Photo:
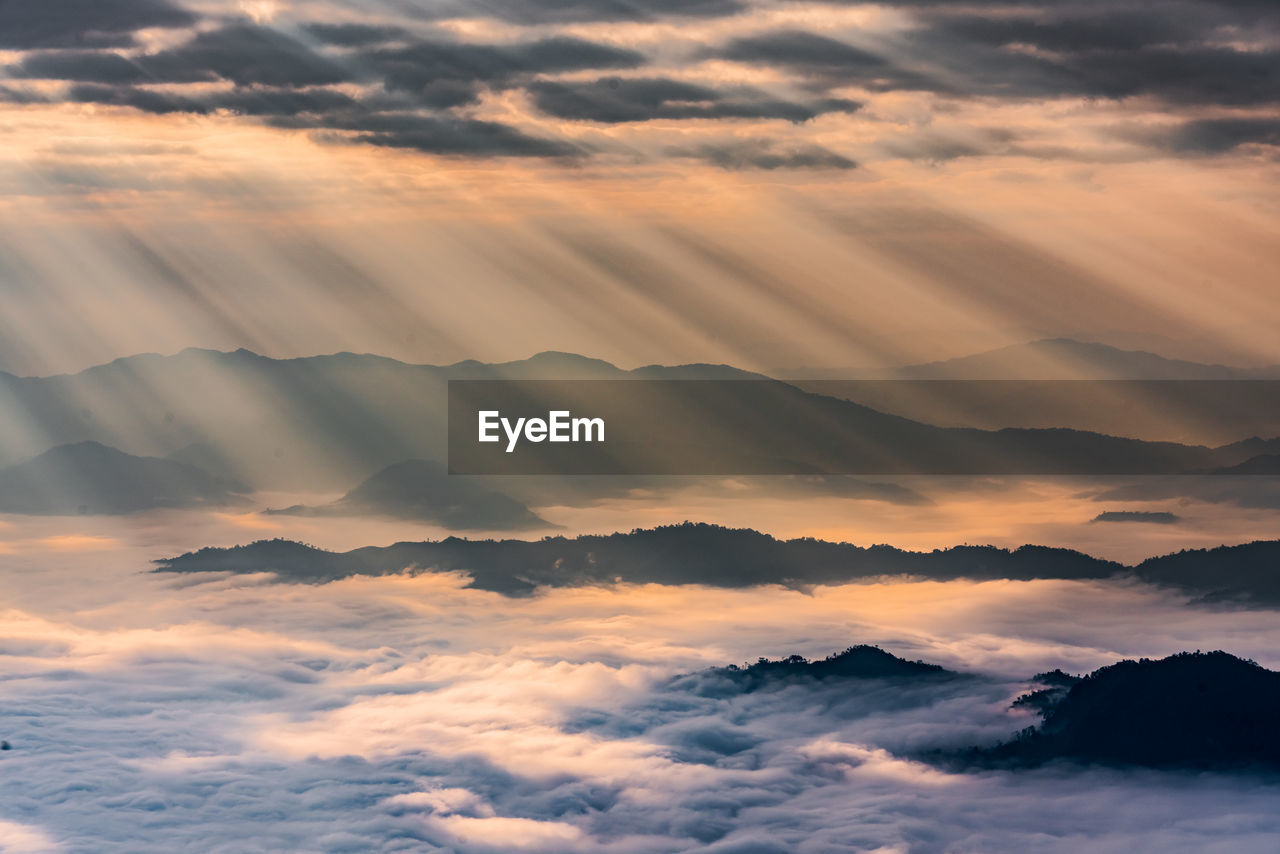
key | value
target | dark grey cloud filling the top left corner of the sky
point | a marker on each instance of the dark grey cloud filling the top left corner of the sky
(65, 24)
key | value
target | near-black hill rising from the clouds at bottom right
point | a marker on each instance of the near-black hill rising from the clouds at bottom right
(1196, 711)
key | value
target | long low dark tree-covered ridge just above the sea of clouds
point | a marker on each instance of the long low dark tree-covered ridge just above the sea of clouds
(726, 558)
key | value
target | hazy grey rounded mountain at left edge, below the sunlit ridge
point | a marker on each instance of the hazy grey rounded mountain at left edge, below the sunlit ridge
(92, 478)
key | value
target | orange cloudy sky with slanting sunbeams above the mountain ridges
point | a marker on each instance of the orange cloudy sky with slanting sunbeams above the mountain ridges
(770, 184)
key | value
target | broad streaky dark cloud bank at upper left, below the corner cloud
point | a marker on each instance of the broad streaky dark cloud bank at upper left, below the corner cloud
(289, 83)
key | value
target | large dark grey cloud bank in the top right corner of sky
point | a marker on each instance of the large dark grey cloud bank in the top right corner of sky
(1078, 51)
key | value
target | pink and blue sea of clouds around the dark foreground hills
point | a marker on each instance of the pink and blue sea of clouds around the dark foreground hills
(409, 714)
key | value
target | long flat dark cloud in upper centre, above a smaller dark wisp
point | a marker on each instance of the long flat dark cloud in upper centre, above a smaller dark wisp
(615, 101)
